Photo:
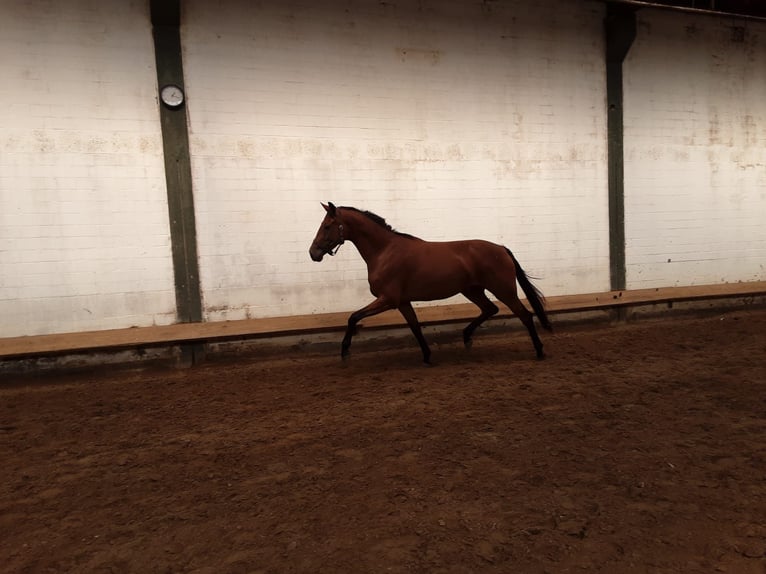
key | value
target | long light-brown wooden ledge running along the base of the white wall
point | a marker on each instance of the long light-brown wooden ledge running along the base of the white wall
(17, 347)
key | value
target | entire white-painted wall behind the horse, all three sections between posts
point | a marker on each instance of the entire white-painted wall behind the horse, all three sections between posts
(452, 119)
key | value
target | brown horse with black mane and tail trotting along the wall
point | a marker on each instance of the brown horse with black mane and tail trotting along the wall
(402, 268)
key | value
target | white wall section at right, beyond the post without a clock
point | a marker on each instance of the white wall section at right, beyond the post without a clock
(695, 151)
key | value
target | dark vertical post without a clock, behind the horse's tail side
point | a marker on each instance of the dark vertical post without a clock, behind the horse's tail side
(620, 33)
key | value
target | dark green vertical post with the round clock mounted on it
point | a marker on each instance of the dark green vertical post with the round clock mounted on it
(166, 20)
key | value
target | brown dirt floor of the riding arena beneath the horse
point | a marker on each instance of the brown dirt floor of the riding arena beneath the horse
(635, 447)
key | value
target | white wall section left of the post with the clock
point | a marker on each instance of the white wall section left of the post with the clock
(84, 238)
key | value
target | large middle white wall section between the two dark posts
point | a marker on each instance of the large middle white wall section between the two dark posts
(451, 119)
